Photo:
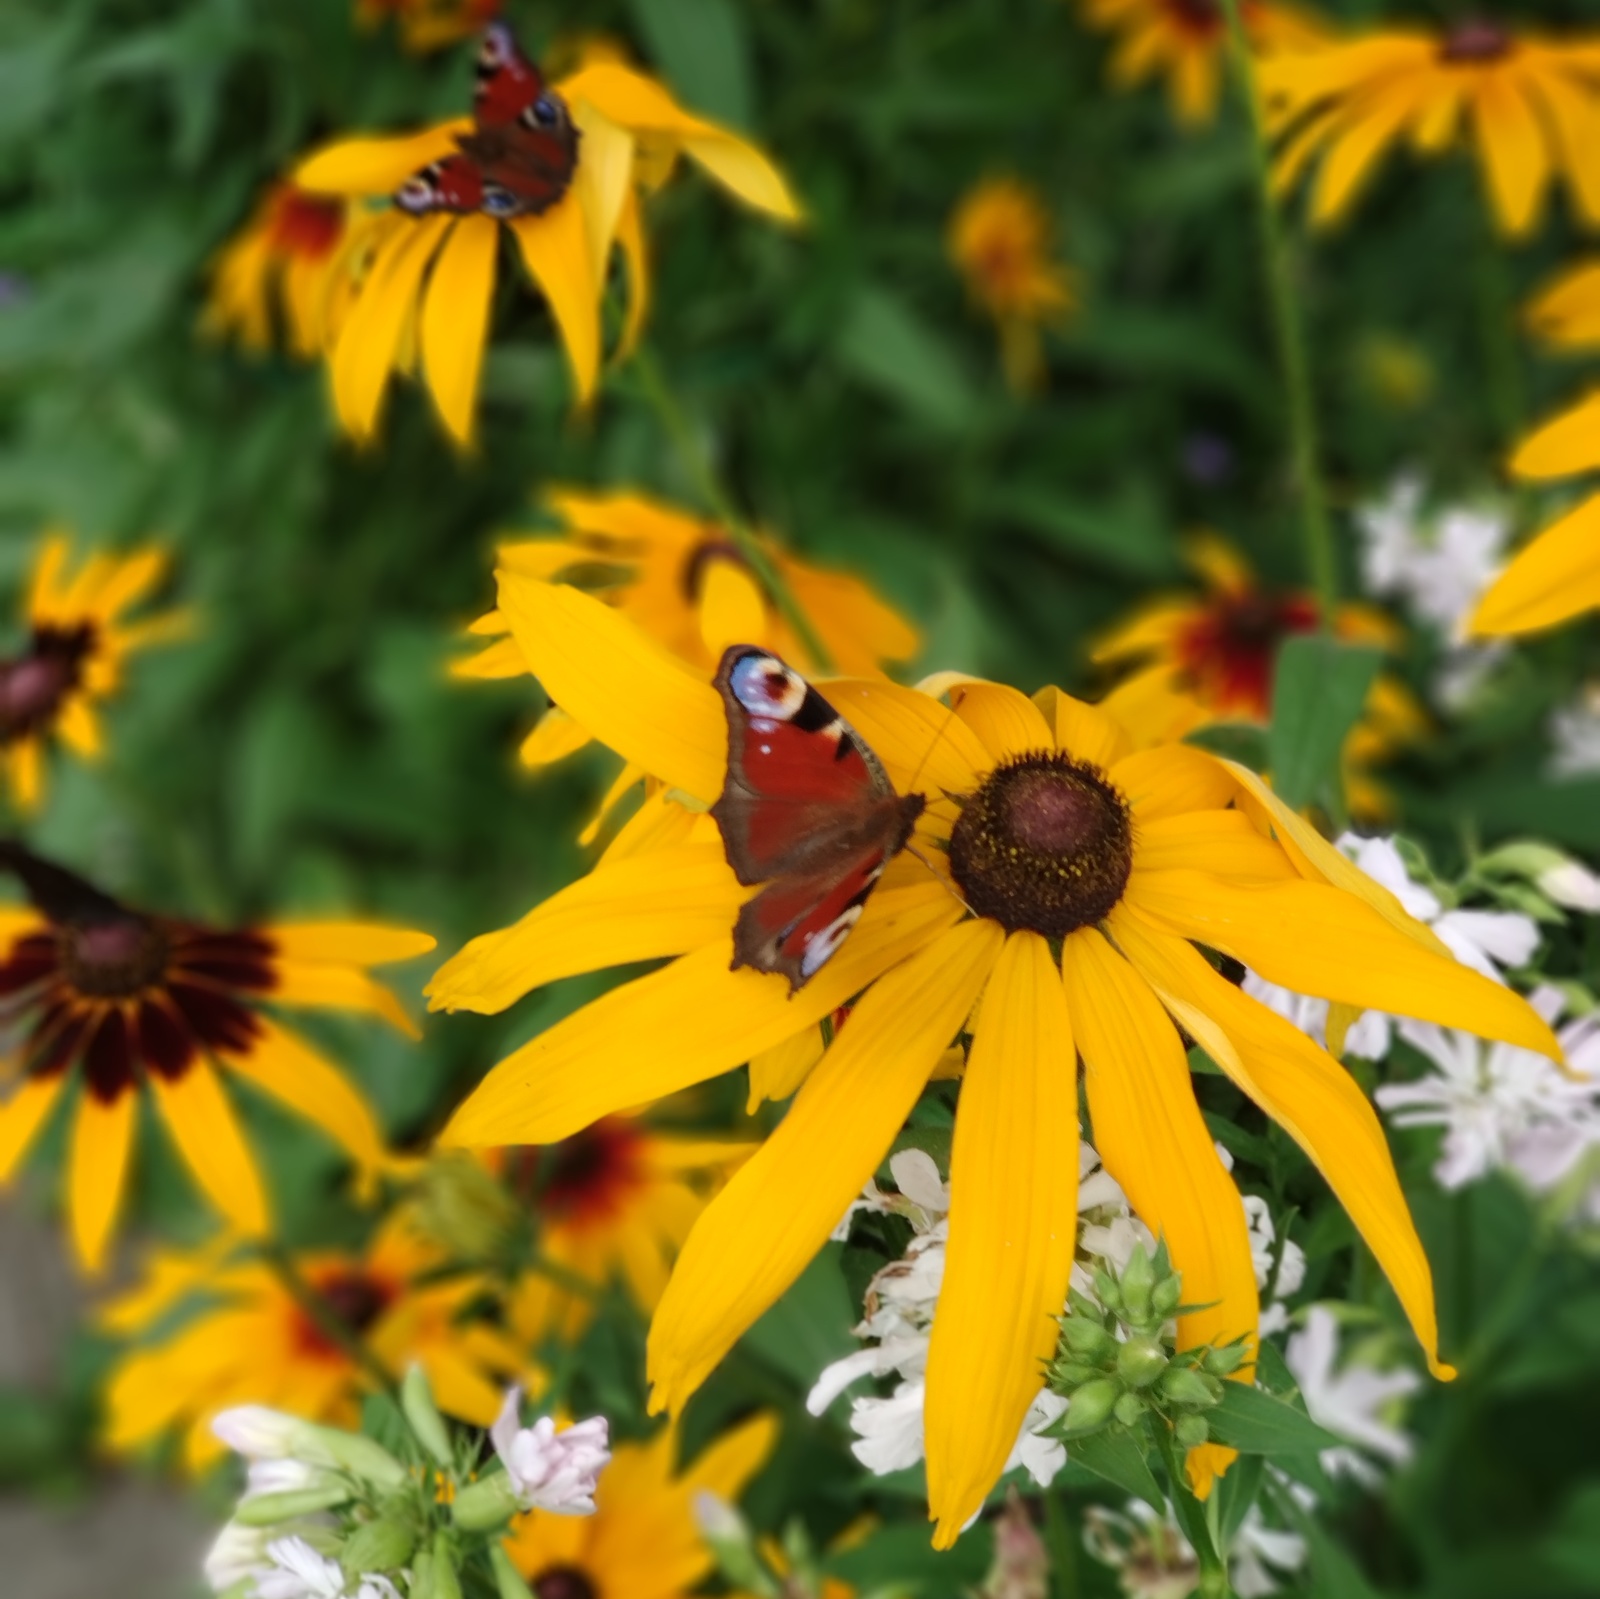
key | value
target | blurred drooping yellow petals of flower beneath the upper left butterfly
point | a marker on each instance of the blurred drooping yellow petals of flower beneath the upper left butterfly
(426, 300)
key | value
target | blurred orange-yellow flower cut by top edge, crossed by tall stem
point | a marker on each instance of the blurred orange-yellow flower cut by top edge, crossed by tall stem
(1186, 42)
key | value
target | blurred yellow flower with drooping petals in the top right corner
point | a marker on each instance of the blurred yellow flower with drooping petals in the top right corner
(1530, 105)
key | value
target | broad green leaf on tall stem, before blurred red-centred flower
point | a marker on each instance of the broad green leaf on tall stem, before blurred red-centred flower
(1319, 689)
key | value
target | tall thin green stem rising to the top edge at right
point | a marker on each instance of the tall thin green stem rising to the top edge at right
(1290, 335)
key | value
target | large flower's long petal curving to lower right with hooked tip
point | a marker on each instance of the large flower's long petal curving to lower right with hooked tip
(1306, 1092)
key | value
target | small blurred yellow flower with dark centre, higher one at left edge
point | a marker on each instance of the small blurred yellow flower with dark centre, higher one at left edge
(74, 654)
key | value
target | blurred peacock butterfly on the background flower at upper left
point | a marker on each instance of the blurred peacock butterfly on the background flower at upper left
(521, 154)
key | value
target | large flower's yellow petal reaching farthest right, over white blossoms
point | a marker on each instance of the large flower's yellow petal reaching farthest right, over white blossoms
(1318, 940)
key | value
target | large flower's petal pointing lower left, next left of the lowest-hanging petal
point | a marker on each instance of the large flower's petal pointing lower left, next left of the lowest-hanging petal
(780, 1208)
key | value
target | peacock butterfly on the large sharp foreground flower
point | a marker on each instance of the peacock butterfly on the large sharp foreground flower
(807, 809)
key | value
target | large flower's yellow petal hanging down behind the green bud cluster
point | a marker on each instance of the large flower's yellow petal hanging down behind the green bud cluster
(1153, 1139)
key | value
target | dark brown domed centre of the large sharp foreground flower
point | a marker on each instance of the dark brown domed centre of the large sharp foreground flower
(1046, 844)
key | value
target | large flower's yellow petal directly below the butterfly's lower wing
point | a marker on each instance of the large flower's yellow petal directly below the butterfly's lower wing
(700, 1017)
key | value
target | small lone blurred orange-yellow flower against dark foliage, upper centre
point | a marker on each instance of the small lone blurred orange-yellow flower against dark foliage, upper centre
(999, 239)
